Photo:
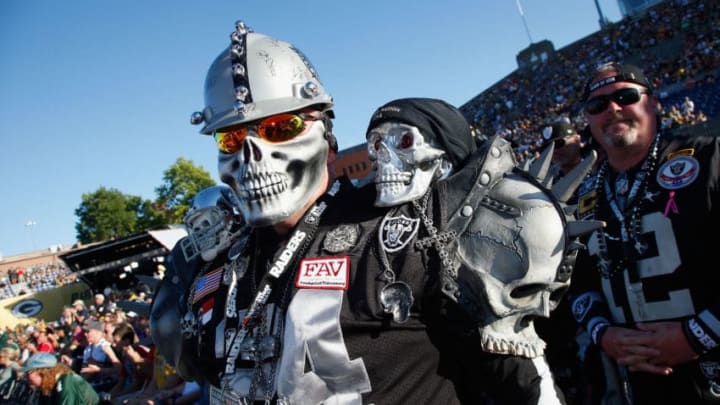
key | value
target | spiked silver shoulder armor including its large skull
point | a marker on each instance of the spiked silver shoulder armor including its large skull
(514, 252)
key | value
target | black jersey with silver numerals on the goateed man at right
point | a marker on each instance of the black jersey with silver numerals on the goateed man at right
(654, 261)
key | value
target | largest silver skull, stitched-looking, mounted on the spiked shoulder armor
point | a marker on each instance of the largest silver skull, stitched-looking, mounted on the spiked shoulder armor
(511, 254)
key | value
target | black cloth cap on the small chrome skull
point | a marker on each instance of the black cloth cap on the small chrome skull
(436, 119)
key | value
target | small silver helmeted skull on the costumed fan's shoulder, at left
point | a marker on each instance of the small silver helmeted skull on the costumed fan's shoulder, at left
(213, 221)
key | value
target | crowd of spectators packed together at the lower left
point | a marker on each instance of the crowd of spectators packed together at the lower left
(106, 343)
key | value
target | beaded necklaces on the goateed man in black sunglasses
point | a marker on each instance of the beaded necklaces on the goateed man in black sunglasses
(629, 216)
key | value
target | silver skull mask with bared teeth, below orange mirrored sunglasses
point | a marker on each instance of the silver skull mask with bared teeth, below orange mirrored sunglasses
(273, 181)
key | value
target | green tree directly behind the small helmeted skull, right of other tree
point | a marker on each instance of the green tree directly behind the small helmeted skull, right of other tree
(180, 184)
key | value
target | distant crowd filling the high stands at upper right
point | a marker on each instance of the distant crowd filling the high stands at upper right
(677, 42)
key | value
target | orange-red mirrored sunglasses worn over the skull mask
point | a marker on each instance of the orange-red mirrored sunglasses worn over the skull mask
(275, 129)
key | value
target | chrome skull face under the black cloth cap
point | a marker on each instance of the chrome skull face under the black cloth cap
(406, 164)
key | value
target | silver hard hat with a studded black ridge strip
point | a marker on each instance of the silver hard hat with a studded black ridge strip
(255, 77)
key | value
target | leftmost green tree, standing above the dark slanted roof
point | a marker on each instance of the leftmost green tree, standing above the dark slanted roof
(106, 214)
